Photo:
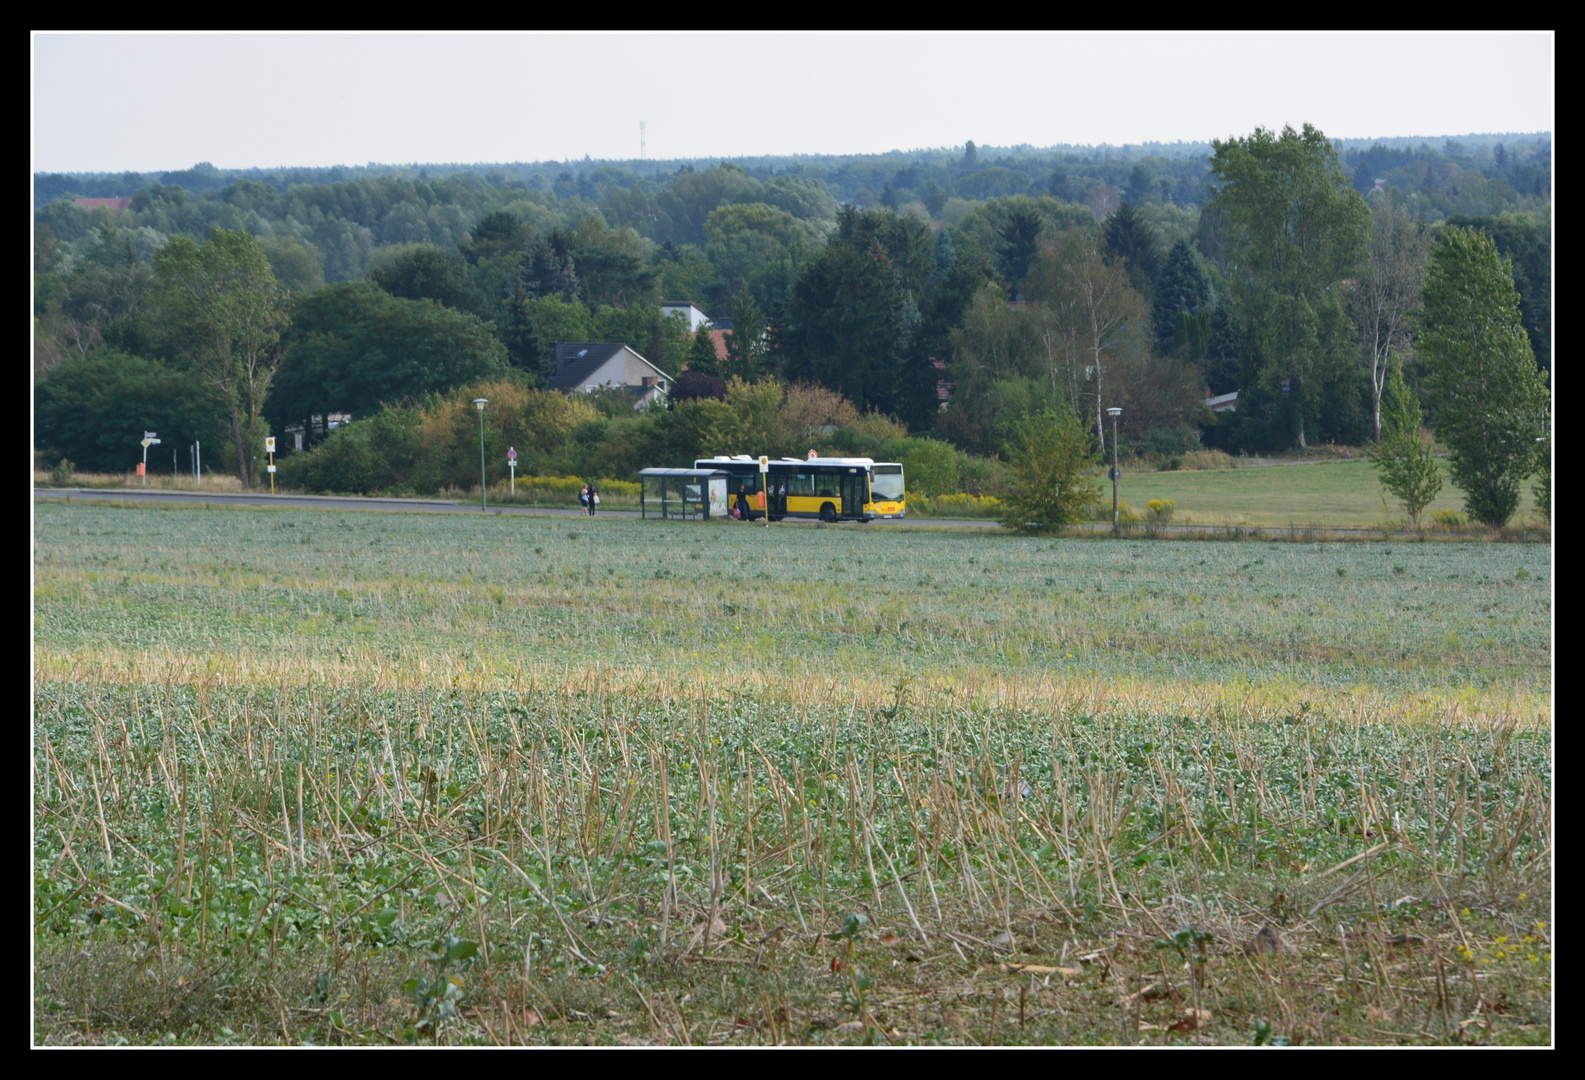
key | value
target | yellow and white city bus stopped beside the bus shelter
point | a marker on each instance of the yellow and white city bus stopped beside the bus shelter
(831, 489)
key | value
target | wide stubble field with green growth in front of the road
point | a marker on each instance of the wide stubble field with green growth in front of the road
(357, 778)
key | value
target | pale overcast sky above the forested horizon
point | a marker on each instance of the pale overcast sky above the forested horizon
(162, 102)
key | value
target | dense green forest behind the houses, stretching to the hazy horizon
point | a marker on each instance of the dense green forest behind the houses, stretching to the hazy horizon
(888, 280)
